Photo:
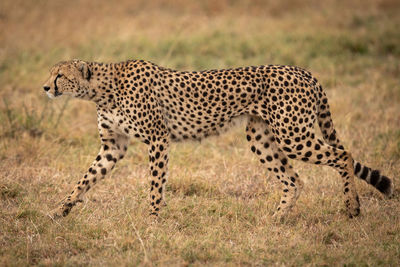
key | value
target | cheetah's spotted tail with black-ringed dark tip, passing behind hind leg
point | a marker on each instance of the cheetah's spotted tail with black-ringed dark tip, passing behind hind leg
(372, 177)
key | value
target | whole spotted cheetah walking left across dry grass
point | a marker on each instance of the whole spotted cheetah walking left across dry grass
(158, 105)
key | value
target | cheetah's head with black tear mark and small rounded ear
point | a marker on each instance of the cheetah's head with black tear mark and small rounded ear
(68, 78)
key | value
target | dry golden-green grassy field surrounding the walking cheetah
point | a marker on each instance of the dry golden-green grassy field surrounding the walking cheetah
(220, 200)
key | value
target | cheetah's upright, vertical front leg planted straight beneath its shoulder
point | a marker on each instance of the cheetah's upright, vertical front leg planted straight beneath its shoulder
(158, 159)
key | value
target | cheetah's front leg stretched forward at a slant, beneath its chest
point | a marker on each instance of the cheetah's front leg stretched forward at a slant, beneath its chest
(112, 149)
